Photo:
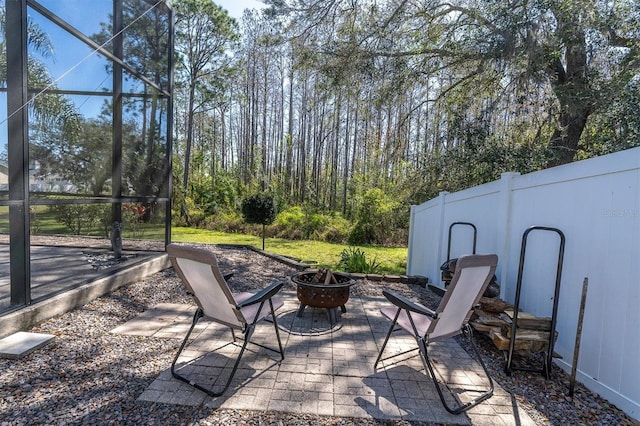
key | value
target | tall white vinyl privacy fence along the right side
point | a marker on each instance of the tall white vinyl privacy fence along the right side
(596, 204)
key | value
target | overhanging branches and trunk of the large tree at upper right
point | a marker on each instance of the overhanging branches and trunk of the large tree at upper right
(576, 57)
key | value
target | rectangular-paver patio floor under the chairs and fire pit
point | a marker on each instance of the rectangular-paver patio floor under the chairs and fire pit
(327, 370)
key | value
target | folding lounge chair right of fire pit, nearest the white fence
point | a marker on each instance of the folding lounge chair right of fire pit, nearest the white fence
(472, 276)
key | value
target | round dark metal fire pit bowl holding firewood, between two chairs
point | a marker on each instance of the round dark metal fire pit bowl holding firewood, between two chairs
(323, 289)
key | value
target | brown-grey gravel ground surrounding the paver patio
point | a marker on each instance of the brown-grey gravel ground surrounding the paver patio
(89, 376)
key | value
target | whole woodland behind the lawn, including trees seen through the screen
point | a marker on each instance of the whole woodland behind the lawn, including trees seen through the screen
(353, 108)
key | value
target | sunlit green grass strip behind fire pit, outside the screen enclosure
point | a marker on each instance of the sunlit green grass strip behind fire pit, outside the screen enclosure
(392, 260)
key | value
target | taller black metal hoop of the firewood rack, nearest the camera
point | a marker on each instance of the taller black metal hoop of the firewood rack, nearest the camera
(546, 368)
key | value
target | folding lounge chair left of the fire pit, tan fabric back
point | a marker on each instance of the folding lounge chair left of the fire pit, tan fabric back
(198, 270)
